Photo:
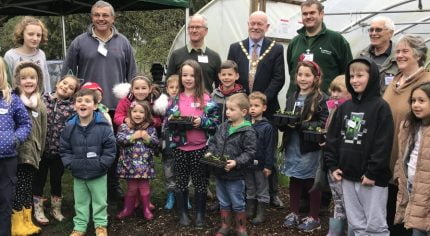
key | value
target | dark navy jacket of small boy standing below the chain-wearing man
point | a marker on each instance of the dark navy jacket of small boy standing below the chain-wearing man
(266, 145)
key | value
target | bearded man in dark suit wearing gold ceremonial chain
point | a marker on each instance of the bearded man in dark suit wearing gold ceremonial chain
(260, 63)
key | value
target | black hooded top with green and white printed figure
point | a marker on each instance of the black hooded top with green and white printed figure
(360, 136)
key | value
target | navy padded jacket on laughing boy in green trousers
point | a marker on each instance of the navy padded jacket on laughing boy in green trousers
(88, 151)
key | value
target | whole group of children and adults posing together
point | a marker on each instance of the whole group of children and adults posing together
(114, 125)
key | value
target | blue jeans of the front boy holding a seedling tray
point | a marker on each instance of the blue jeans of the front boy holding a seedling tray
(231, 194)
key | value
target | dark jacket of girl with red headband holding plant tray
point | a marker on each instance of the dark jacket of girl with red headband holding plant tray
(319, 119)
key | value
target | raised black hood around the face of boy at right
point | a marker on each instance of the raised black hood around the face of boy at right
(373, 87)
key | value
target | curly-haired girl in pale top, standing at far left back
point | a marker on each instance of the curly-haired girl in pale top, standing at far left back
(29, 34)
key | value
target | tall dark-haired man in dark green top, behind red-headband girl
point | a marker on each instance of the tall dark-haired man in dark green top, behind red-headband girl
(315, 42)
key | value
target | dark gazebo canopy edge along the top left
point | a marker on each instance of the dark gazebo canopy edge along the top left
(67, 7)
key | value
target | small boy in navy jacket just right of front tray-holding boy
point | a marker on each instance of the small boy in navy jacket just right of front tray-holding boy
(257, 182)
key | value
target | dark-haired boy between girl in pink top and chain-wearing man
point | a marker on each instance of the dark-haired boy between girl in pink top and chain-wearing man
(228, 75)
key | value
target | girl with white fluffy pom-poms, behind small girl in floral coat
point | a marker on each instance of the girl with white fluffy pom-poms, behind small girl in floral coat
(140, 89)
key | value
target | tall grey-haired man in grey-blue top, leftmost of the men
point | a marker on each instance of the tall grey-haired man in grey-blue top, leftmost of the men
(105, 56)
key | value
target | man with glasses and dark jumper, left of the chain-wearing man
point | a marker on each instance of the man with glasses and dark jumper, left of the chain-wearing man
(196, 49)
